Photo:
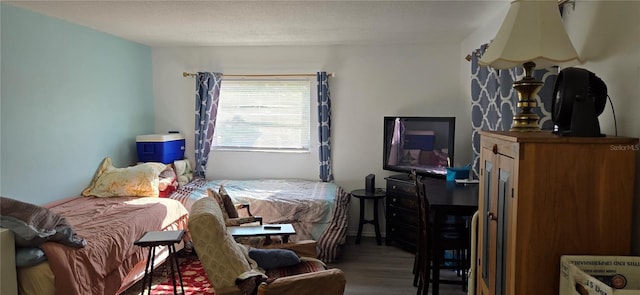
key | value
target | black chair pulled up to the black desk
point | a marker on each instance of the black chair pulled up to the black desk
(454, 239)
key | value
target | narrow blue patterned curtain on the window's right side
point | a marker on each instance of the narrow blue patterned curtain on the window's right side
(324, 126)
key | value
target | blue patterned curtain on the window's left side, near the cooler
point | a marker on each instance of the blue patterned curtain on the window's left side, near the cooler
(207, 96)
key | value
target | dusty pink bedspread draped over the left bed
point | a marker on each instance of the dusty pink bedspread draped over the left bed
(110, 226)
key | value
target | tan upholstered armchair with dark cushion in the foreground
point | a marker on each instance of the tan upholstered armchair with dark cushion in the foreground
(232, 272)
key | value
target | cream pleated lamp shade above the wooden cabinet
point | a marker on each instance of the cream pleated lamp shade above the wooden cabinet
(532, 31)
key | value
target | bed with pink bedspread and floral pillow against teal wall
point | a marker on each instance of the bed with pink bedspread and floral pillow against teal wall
(96, 252)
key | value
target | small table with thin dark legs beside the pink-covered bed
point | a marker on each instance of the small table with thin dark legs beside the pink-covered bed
(168, 238)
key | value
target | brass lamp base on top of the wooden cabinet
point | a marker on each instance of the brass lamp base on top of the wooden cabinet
(527, 88)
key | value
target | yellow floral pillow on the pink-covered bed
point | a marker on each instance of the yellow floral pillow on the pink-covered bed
(137, 181)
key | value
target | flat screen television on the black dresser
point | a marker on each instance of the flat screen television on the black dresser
(424, 144)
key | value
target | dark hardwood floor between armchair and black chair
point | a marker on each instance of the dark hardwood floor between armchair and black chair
(372, 269)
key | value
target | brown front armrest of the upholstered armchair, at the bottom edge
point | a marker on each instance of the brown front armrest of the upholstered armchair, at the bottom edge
(326, 282)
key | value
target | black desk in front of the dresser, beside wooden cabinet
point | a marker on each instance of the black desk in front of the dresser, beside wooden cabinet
(446, 199)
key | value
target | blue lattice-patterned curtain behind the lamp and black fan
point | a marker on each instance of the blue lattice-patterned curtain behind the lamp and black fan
(494, 101)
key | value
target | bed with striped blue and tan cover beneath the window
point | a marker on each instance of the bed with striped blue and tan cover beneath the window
(317, 210)
